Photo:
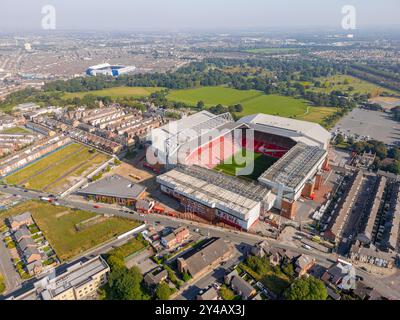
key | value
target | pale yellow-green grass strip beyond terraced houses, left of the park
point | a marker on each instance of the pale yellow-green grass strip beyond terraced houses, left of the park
(116, 92)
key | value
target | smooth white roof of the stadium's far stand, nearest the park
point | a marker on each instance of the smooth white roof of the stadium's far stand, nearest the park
(300, 131)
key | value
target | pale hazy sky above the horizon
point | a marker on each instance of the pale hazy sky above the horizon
(169, 15)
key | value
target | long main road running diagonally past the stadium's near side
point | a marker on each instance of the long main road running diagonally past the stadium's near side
(236, 237)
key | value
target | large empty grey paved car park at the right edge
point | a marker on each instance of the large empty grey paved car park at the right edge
(377, 125)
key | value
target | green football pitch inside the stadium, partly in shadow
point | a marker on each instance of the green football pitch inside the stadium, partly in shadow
(235, 164)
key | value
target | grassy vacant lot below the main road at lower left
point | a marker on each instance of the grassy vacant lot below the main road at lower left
(59, 227)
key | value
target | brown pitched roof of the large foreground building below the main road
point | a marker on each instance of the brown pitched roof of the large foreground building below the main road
(206, 255)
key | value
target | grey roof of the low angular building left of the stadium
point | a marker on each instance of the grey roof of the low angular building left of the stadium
(114, 186)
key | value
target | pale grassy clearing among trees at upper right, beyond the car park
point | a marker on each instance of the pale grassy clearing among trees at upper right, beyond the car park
(345, 82)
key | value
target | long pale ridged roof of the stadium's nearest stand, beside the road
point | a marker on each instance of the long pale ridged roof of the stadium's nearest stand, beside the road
(215, 189)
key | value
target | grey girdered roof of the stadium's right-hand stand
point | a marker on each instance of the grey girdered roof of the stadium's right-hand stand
(295, 166)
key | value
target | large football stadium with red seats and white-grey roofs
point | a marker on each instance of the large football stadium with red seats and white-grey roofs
(232, 171)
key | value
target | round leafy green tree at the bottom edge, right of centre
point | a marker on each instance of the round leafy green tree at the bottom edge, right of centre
(306, 289)
